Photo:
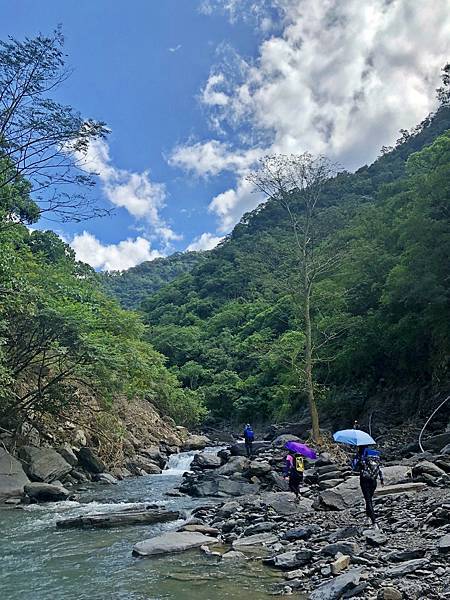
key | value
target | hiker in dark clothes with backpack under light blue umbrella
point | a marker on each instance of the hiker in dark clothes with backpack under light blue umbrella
(366, 463)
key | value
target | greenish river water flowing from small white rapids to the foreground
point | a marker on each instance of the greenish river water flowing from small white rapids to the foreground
(40, 562)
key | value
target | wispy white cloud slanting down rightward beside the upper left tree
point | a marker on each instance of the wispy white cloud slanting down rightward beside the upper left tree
(135, 192)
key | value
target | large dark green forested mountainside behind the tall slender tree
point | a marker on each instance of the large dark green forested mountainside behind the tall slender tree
(233, 329)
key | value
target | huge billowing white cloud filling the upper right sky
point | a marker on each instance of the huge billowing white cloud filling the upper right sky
(339, 78)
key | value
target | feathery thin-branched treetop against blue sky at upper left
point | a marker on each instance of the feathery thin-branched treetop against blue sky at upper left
(40, 139)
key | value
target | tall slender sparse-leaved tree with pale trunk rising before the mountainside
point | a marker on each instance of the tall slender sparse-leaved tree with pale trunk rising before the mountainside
(297, 182)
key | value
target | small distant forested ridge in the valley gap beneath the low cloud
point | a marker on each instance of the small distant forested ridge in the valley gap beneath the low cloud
(132, 286)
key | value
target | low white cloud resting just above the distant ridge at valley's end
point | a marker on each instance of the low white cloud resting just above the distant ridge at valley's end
(111, 257)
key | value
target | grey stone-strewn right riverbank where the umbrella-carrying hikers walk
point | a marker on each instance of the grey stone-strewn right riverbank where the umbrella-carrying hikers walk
(321, 545)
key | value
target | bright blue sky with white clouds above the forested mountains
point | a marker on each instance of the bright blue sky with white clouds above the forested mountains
(194, 91)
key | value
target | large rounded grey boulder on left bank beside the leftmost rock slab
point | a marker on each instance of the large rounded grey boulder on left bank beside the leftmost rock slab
(43, 464)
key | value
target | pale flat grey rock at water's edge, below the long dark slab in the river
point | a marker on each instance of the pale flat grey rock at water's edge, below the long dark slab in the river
(173, 541)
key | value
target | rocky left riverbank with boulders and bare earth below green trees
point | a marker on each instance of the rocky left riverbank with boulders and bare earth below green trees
(44, 466)
